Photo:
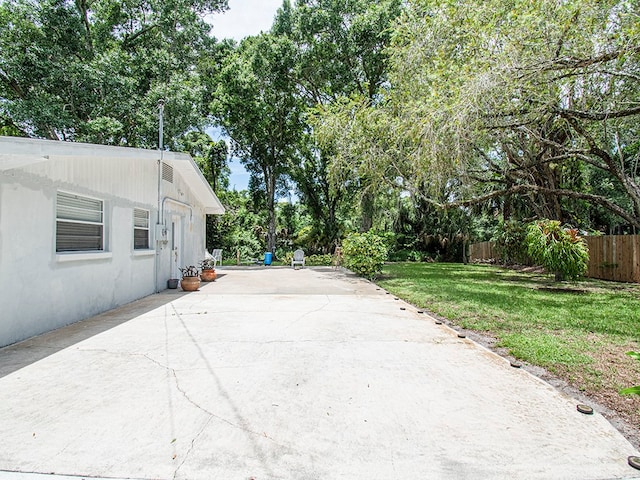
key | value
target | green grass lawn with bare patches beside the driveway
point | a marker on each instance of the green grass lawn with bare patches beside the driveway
(578, 331)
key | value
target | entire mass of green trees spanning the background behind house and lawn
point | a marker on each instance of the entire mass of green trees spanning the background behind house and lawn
(432, 120)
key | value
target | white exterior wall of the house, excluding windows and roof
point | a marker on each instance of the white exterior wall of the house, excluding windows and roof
(40, 289)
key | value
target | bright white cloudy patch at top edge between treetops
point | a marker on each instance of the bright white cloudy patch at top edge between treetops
(244, 18)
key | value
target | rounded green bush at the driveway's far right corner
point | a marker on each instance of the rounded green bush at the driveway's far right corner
(364, 253)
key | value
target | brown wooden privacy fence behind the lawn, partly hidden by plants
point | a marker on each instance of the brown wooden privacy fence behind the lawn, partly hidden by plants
(611, 257)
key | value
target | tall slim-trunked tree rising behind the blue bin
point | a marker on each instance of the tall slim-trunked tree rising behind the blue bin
(254, 99)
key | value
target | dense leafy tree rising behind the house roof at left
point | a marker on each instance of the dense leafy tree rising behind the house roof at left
(94, 70)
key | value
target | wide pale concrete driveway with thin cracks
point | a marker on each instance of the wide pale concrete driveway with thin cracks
(271, 373)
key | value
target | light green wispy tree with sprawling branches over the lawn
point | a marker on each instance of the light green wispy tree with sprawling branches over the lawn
(504, 102)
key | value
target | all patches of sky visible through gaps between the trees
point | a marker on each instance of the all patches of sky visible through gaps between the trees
(244, 18)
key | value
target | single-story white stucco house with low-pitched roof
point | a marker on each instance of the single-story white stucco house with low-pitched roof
(86, 228)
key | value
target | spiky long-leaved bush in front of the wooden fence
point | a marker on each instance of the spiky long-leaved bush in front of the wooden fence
(559, 250)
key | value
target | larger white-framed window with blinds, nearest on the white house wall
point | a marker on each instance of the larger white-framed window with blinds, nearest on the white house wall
(79, 223)
